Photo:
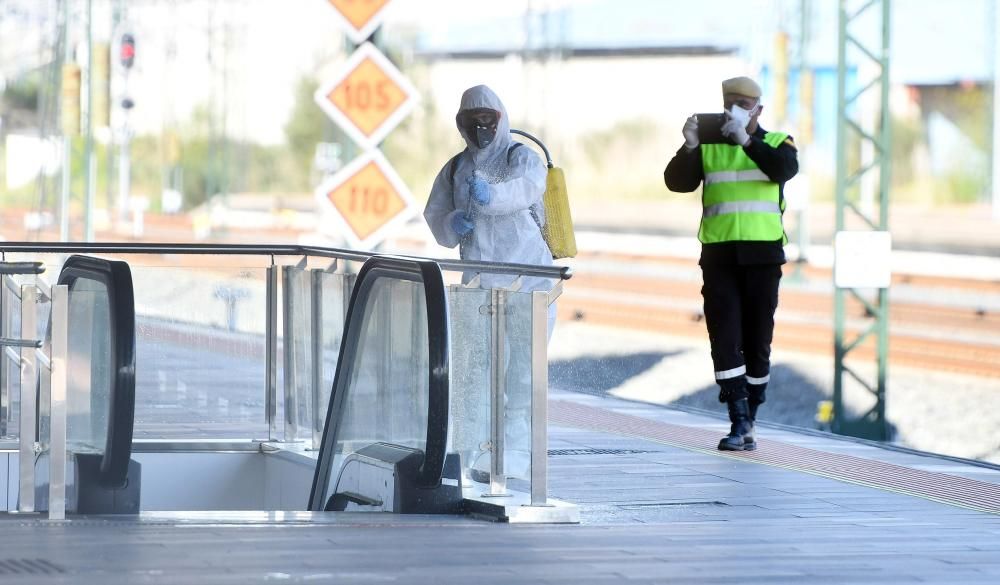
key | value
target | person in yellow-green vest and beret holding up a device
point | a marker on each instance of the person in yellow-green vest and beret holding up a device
(742, 250)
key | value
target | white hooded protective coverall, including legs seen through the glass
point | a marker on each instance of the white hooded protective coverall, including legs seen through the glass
(504, 230)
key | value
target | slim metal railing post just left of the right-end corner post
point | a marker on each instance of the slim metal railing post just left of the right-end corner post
(498, 384)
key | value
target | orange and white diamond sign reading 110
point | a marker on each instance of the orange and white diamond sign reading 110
(368, 199)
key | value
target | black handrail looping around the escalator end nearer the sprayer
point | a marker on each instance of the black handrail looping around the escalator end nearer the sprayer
(438, 347)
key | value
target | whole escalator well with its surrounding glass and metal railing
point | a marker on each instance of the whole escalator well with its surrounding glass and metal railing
(405, 429)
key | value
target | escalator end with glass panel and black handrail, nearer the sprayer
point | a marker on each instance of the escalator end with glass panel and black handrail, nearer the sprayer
(385, 440)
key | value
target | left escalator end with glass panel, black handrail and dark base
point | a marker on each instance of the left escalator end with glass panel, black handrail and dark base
(101, 477)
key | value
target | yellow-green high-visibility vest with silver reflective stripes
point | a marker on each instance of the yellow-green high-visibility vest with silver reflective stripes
(740, 202)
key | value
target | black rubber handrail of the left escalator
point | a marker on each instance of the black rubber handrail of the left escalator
(117, 278)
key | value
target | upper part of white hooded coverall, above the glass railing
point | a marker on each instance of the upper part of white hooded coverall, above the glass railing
(505, 229)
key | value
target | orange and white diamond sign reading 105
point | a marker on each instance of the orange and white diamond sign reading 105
(369, 98)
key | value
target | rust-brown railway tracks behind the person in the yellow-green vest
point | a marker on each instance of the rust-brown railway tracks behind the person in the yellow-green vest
(923, 334)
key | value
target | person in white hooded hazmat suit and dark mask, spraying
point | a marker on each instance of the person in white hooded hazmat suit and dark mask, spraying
(488, 201)
